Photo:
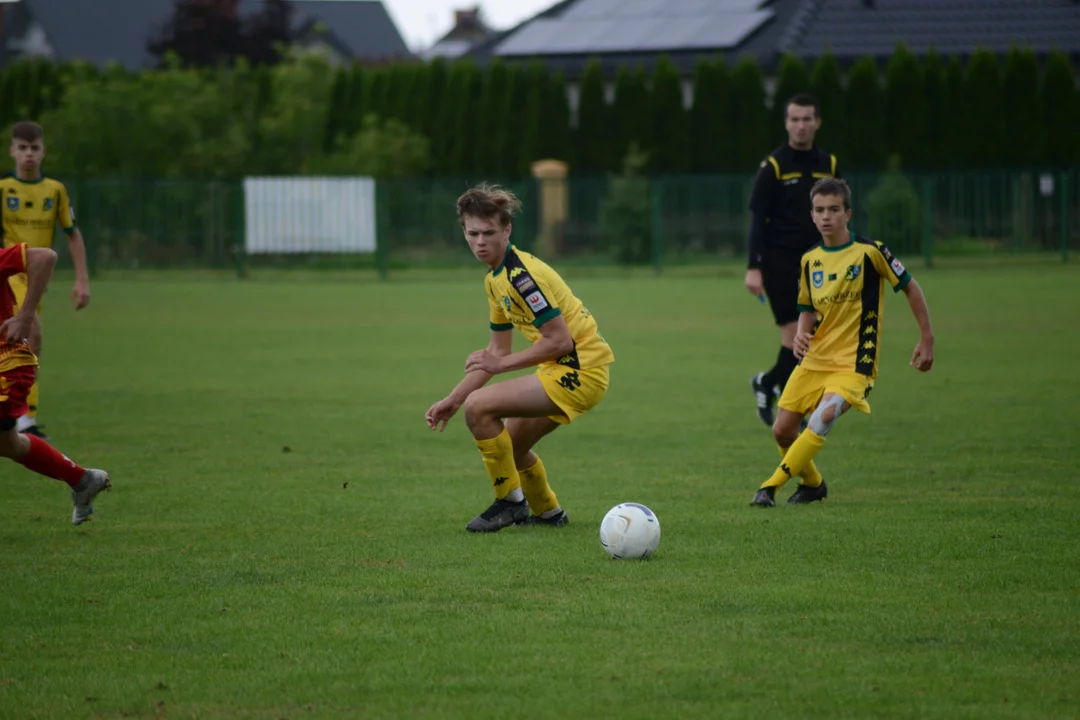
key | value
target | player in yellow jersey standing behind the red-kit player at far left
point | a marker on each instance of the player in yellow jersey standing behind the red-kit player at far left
(32, 208)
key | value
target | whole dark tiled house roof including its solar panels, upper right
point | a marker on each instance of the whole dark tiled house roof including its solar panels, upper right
(849, 29)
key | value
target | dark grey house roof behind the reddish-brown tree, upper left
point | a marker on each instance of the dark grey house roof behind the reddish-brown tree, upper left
(119, 30)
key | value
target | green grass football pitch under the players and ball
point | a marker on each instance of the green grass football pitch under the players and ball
(286, 538)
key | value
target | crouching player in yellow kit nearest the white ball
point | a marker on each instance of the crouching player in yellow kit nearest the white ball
(572, 361)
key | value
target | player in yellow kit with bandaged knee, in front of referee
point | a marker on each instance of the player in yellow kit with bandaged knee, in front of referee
(842, 293)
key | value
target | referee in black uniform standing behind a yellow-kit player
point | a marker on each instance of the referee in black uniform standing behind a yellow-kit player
(781, 232)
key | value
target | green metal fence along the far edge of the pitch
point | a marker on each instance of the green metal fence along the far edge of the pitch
(652, 222)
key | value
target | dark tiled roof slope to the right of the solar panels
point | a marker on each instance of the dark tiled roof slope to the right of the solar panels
(855, 29)
